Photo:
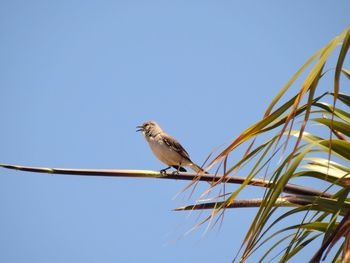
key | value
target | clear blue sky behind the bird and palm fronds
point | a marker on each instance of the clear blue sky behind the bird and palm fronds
(76, 77)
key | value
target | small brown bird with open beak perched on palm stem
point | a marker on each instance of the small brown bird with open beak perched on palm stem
(166, 148)
